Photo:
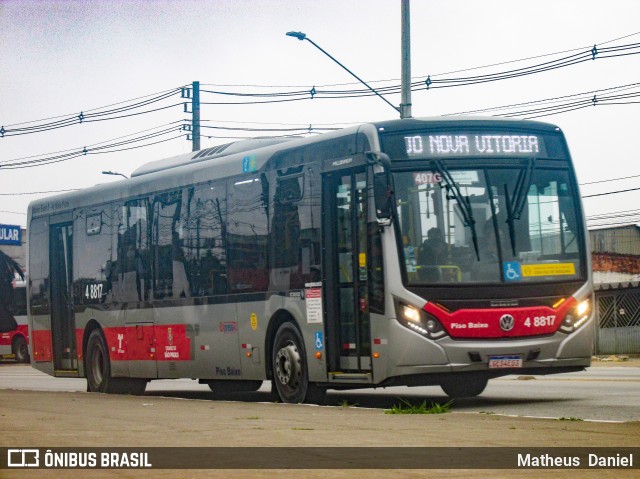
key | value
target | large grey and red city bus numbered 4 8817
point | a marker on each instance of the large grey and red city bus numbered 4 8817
(308, 262)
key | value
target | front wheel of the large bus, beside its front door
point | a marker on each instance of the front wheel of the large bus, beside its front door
(290, 373)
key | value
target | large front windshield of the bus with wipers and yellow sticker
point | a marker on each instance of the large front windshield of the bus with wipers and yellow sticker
(494, 223)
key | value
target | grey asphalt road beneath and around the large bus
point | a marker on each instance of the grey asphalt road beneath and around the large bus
(606, 392)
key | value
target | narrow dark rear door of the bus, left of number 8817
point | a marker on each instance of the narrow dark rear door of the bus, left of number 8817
(63, 327)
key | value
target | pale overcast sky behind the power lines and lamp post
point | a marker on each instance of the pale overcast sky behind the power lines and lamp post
(60, 58)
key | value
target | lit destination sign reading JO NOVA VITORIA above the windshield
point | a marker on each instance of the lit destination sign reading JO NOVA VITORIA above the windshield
(444, 145)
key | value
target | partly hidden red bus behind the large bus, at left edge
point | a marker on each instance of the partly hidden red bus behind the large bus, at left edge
(14, 344)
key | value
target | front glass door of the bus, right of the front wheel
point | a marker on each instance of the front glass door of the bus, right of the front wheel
(346, 263)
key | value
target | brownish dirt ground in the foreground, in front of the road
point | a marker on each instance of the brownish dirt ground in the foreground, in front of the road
(60, 419)
